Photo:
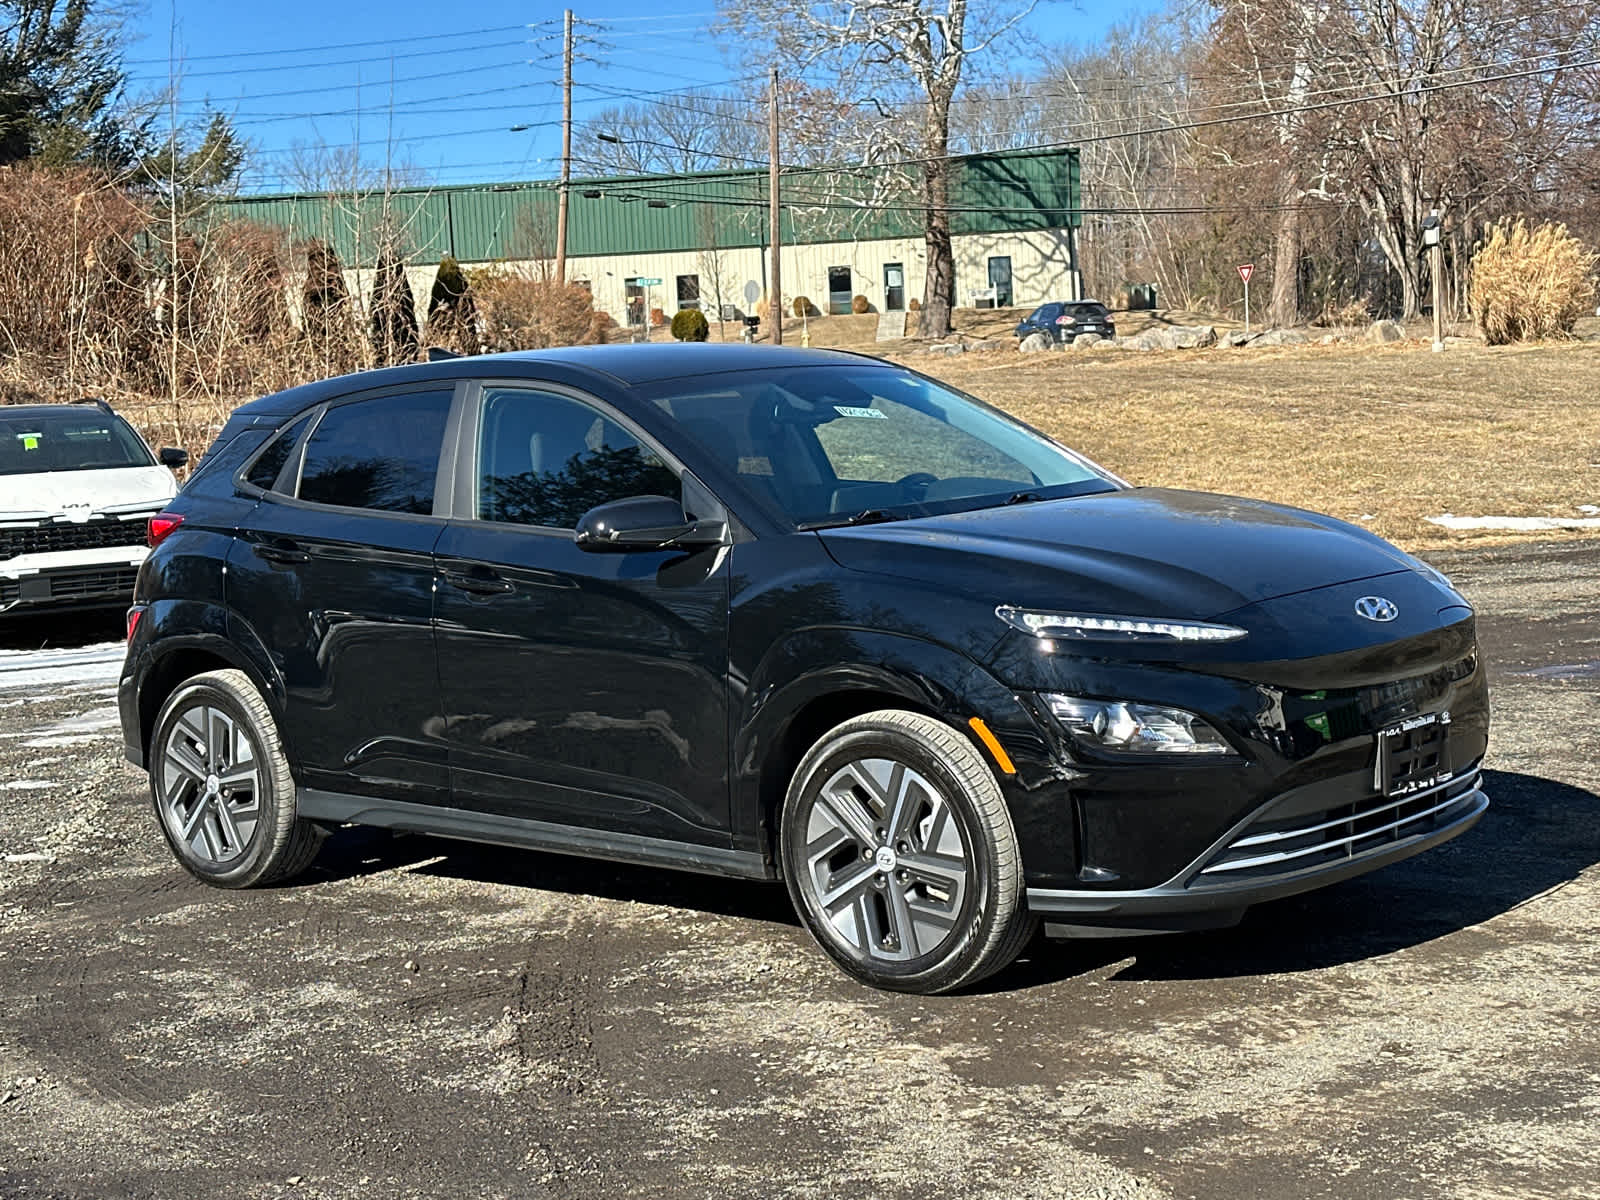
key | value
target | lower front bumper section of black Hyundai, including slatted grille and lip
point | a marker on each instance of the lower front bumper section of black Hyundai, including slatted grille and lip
(1279, 850)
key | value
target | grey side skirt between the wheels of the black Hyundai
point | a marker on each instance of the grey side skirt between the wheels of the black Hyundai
(508, 831)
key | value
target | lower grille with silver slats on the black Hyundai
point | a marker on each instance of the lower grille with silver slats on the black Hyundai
(1273, 847)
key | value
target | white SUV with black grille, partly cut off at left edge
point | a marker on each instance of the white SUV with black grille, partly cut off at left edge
(78, 487)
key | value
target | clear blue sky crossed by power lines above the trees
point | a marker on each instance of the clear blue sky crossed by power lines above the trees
(458, 76)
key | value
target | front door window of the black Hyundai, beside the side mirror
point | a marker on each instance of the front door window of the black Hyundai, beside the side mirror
(546, 460)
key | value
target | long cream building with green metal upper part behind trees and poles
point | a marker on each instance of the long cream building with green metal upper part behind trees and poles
(847, 233)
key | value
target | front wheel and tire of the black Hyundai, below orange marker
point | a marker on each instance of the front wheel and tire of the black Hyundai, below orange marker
(870, 836)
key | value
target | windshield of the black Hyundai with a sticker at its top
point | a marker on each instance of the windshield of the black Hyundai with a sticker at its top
(825, 446)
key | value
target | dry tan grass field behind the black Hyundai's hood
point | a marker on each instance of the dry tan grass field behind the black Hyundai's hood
(1380, 434)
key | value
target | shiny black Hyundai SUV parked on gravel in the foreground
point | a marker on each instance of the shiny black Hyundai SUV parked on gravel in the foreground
(786, 614)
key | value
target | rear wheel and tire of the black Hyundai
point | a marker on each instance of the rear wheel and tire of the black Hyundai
(222, 786)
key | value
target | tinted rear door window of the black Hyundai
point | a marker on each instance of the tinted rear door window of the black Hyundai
(380, 454)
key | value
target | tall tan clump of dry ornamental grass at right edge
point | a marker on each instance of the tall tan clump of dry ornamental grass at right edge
(1530, 284)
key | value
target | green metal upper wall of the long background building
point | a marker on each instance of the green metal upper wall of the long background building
(990, 194)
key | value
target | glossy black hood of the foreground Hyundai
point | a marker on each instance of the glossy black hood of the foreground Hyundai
(1137, 553)
